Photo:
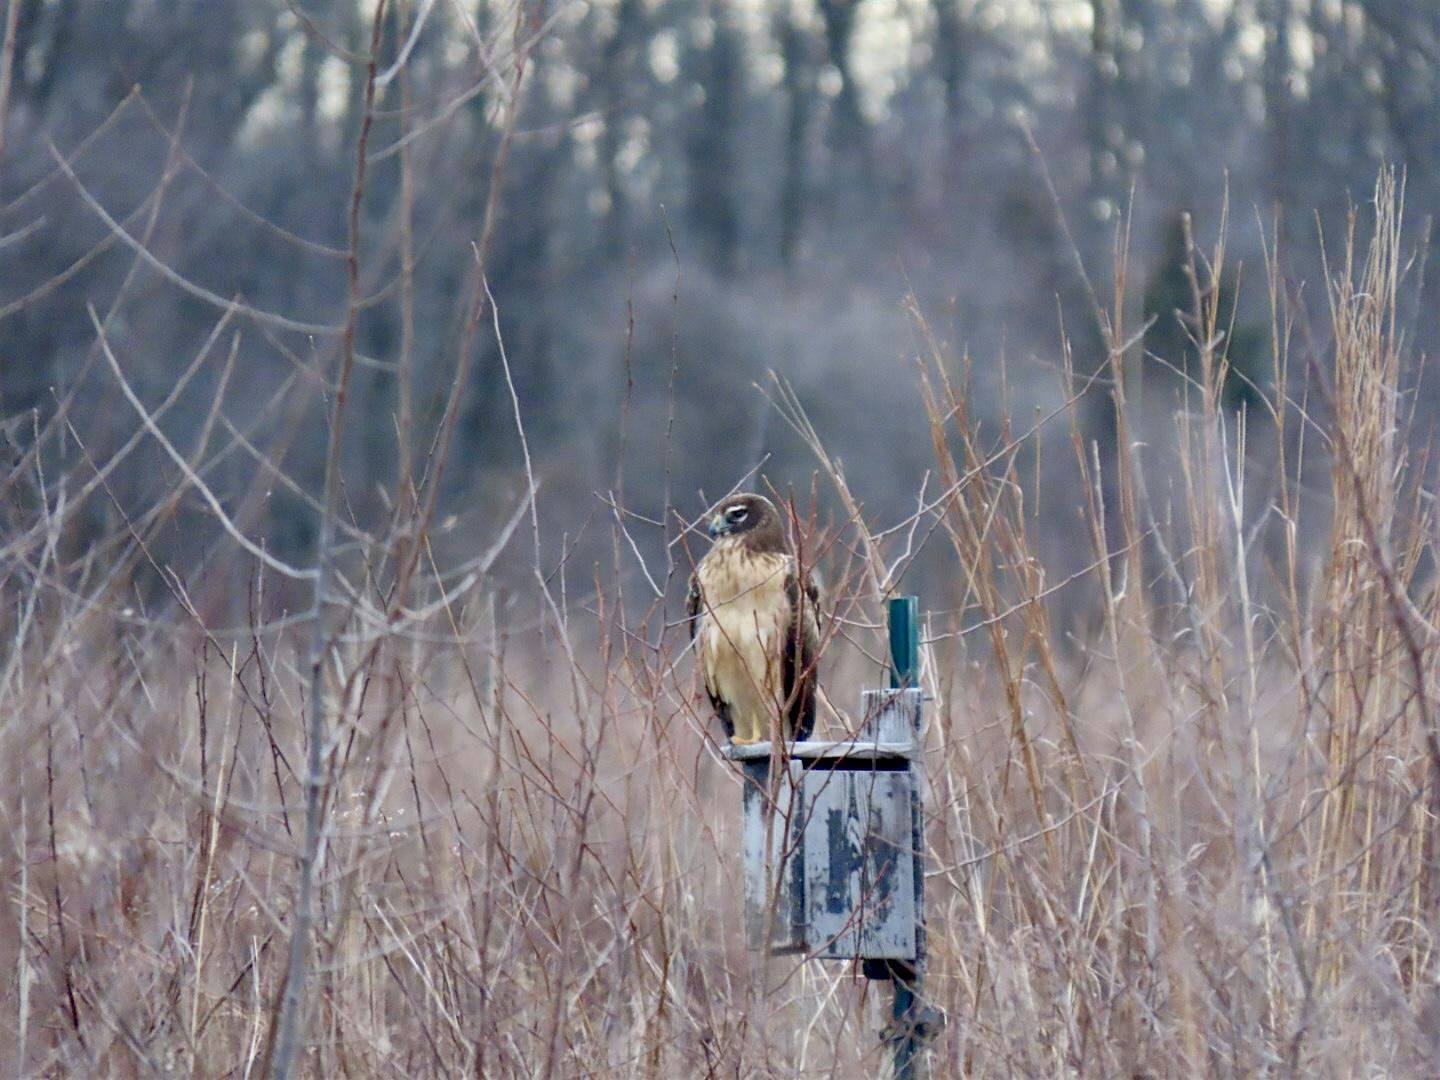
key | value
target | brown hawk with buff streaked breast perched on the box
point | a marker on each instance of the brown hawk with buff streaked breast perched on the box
(754, 614)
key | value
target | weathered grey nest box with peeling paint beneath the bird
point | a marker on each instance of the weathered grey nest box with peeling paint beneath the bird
(833, 840)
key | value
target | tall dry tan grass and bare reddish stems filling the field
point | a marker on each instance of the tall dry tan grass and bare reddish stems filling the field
(1192, 834)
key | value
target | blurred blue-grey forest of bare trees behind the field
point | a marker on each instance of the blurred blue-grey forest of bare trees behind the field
(696, 194)
